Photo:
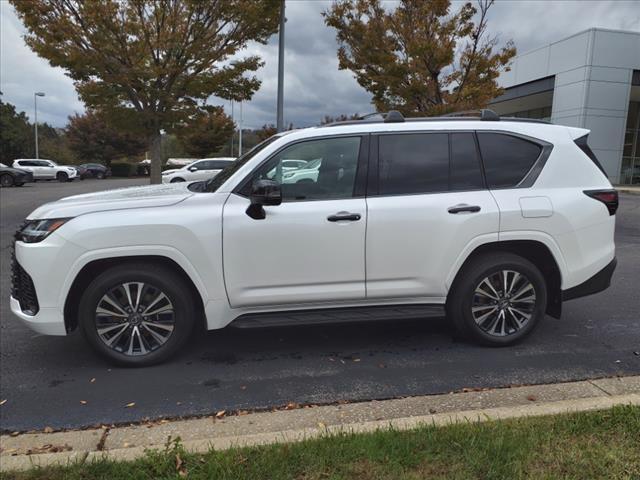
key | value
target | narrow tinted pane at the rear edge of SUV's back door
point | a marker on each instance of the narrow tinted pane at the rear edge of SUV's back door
(465, 172)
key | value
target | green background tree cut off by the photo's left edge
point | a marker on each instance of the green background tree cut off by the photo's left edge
(16, 134)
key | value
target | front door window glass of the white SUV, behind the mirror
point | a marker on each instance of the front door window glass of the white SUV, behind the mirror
(335, 162)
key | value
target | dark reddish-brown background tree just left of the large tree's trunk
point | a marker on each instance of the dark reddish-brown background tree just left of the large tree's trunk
(93, 139)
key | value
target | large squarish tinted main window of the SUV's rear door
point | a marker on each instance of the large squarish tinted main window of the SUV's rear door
(413, 163)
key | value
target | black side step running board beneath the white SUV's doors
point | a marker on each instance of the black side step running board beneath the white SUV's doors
(337, 315)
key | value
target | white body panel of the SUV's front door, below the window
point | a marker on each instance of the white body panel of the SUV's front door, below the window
(295, 255)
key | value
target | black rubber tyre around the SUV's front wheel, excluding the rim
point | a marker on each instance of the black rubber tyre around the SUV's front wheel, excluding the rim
(155, 277)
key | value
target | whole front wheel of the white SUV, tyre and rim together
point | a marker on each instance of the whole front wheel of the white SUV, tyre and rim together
(137, 315)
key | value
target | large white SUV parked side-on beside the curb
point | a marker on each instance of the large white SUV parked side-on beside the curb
(491, 222)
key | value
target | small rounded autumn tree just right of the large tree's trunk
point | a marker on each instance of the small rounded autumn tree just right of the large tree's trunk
(207, 132)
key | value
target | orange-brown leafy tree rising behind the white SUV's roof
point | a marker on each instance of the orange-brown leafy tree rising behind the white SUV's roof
(420, 58)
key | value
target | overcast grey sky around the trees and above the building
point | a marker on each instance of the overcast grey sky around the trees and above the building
(313, 86)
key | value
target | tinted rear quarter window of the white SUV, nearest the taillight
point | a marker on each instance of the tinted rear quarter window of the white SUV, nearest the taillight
(507, 159)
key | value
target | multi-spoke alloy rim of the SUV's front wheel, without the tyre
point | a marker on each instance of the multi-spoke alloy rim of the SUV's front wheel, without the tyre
(134, 318)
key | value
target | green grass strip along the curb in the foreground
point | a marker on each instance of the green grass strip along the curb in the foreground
(604, 444)
